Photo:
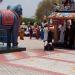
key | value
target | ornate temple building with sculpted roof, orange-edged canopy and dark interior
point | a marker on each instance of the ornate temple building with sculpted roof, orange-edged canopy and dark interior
(64, 24)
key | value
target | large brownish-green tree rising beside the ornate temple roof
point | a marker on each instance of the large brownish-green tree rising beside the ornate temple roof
(45, 7)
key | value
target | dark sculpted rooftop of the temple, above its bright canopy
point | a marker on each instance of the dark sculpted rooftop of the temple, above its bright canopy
(66, 6)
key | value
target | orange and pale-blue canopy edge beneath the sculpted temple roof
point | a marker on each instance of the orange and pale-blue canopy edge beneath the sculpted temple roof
(62, 15)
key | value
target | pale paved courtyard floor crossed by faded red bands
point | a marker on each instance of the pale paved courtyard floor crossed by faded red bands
(36, 61)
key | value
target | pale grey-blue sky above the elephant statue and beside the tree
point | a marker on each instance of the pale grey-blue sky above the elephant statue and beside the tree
(29, 6)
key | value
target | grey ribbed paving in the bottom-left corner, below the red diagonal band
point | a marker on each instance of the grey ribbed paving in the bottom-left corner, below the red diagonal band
(6, 69)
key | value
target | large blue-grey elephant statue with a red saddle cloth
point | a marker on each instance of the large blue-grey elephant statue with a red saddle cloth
(9, 25)
